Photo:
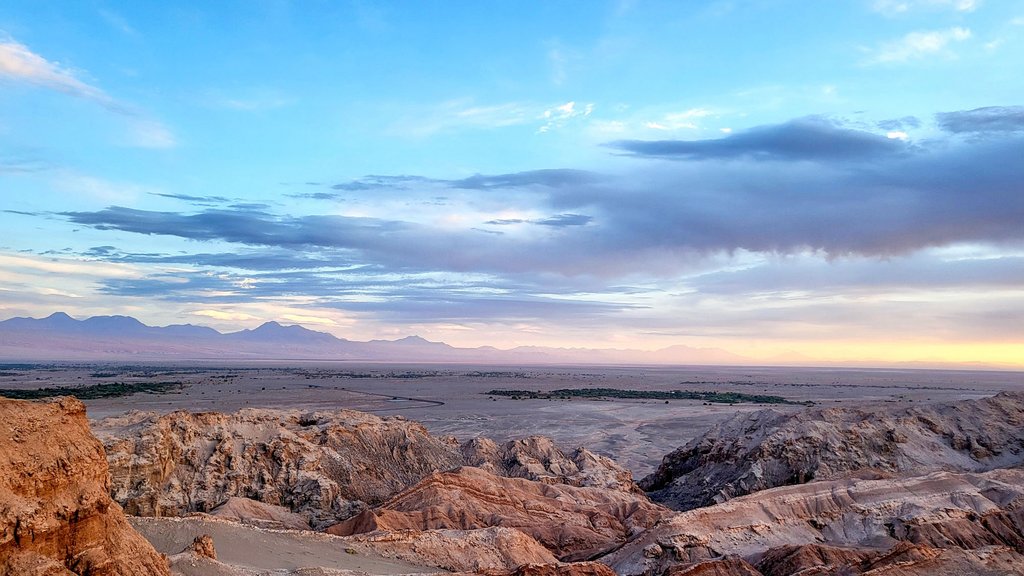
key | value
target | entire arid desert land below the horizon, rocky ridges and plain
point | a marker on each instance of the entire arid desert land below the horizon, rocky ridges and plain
(303, 470)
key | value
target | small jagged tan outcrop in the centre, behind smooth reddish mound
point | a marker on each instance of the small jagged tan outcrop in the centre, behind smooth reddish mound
(539, 459)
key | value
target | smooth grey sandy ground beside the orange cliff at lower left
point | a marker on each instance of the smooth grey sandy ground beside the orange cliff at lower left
(268, 550)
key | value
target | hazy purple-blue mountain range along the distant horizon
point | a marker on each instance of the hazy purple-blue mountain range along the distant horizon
(60, 337)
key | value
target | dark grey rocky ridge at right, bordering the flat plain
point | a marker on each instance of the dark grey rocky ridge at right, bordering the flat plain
(766, 449)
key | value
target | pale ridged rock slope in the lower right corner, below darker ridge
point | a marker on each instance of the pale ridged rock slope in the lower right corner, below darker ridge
(974, 520)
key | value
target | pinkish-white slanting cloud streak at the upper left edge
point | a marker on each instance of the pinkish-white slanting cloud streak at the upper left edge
(20, 64)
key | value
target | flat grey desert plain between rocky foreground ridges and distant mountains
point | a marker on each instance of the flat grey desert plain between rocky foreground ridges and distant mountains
(451, 400)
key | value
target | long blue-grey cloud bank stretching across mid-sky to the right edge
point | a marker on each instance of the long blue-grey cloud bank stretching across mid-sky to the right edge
(827, 190)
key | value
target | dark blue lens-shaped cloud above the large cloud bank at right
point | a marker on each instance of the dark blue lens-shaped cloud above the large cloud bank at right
(804, 139)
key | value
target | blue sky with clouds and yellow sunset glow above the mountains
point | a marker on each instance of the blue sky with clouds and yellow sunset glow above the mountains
(834, 182)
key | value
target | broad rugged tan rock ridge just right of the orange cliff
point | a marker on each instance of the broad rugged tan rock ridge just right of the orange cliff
(322, 465)
